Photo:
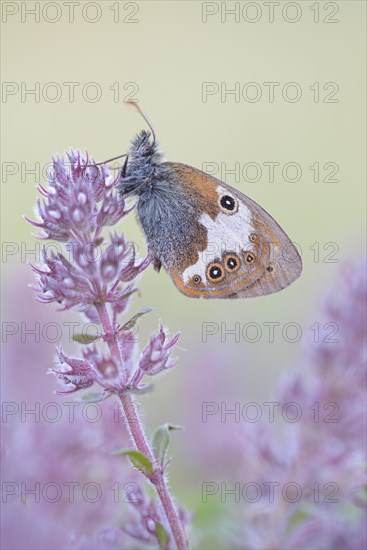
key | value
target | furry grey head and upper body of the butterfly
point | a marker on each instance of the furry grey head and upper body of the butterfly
(141, 166)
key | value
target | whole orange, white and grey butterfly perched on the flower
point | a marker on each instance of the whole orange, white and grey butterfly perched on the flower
(212, 240)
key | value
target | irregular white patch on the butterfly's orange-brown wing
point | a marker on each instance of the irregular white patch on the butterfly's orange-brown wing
(228, 232)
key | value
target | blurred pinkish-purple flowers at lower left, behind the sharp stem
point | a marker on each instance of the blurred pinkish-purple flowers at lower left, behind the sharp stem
(53, 451)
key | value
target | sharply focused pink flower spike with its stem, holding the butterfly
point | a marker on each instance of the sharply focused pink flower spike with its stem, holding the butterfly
(77, 205)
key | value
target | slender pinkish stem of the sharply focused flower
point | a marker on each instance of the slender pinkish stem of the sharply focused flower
(137, 434)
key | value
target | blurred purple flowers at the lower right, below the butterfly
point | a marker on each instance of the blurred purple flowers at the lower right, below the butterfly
(323, 455)
